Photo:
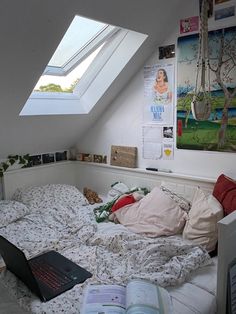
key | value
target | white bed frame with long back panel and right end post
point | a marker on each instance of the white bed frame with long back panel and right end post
(99, 177)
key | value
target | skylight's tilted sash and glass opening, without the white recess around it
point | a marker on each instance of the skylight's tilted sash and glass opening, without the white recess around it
(76, 51)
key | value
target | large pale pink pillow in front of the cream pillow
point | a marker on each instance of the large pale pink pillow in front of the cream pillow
(154, 215)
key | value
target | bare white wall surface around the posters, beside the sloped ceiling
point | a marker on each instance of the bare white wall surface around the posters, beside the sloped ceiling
(121, 124)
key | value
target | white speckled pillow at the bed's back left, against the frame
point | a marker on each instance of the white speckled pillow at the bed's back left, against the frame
(43, 197)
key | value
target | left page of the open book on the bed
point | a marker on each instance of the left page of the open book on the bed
(104, 299)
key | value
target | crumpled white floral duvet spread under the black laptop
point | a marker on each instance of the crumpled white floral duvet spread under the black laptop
(112, 257)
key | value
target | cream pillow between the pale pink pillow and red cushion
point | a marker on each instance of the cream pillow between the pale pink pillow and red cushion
(201, 226)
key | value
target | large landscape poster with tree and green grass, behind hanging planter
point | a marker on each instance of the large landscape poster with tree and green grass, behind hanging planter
(218, 133)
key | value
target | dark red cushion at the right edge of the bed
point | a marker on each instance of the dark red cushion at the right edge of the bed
(225, 192)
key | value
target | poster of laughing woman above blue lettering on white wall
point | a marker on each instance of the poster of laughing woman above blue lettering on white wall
(158, 94)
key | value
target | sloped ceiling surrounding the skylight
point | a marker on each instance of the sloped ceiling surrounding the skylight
(30, 32)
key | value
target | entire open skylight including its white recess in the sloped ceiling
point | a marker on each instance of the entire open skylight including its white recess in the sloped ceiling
(87, 60)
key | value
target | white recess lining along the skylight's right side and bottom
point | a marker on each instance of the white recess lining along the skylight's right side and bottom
(103, 70)
